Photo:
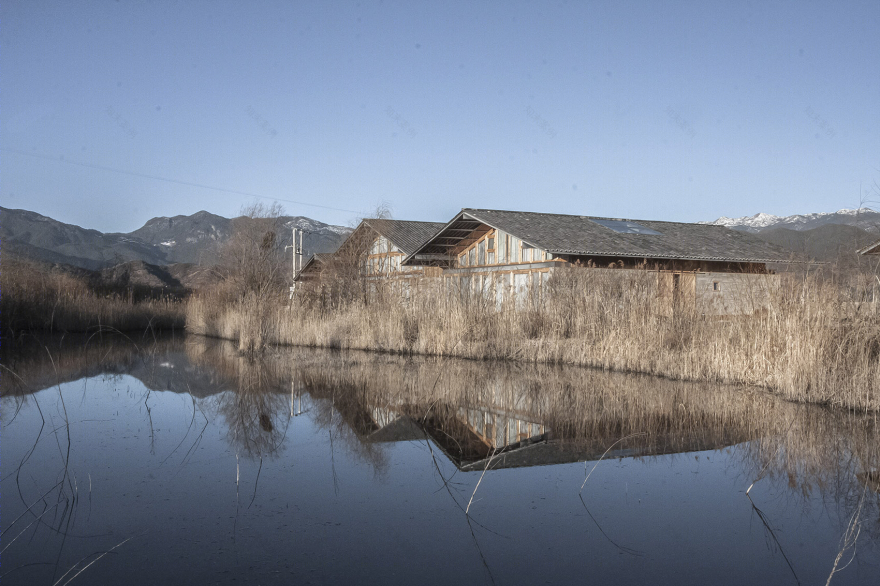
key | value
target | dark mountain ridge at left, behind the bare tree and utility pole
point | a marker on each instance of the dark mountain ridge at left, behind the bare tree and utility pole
(163, 241)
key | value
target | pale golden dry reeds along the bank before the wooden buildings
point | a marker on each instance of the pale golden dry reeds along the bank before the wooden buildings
(816, 341)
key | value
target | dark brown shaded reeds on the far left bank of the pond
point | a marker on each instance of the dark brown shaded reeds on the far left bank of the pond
(34, 297)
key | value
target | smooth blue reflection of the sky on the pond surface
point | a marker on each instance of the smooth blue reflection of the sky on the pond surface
(318, 511)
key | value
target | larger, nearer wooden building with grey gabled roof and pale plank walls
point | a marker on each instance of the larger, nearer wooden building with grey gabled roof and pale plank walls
(500, 254)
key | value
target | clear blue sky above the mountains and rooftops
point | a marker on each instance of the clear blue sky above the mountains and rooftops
(112, 113)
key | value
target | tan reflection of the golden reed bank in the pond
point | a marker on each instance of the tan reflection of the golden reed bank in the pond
(581, 409)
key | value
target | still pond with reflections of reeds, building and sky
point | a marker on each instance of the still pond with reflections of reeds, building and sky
(178, 461)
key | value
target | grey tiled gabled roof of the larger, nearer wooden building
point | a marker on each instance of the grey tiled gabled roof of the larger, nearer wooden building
(595, 236)
